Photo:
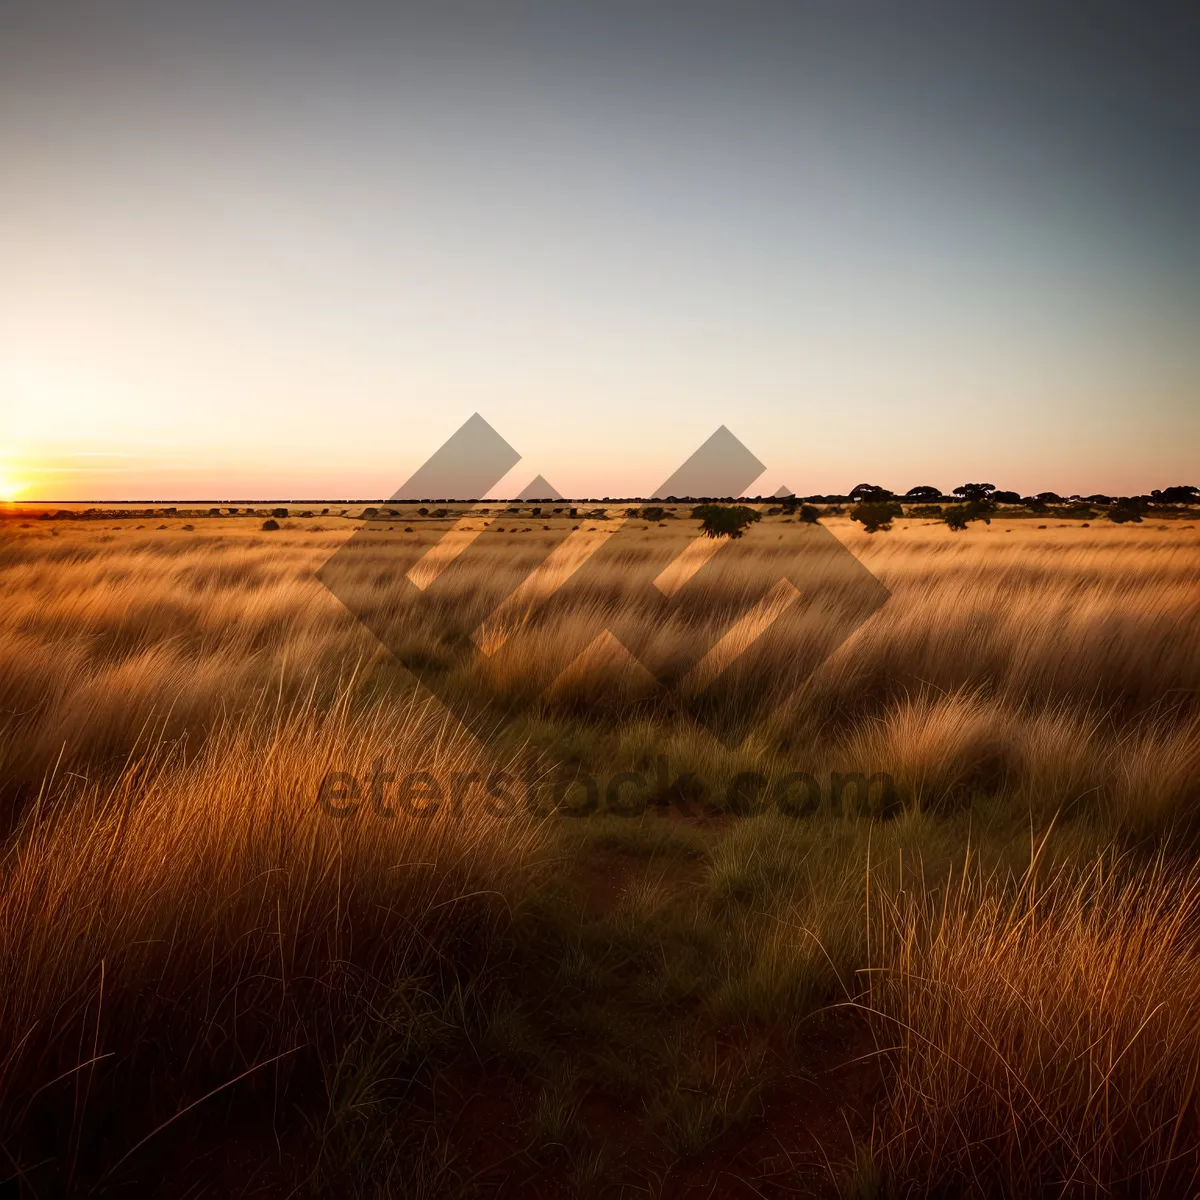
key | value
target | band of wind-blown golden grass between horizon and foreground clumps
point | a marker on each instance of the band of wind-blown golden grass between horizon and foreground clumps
(1065, 658)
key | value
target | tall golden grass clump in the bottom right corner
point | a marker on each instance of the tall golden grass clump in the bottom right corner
(1045, 1035)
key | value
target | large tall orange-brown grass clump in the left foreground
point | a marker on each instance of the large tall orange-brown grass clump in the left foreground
(195, 919)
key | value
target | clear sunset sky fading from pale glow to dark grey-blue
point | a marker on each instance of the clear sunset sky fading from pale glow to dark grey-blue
(286, 250)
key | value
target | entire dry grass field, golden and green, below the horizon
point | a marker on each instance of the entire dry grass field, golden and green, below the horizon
(985, 983)
